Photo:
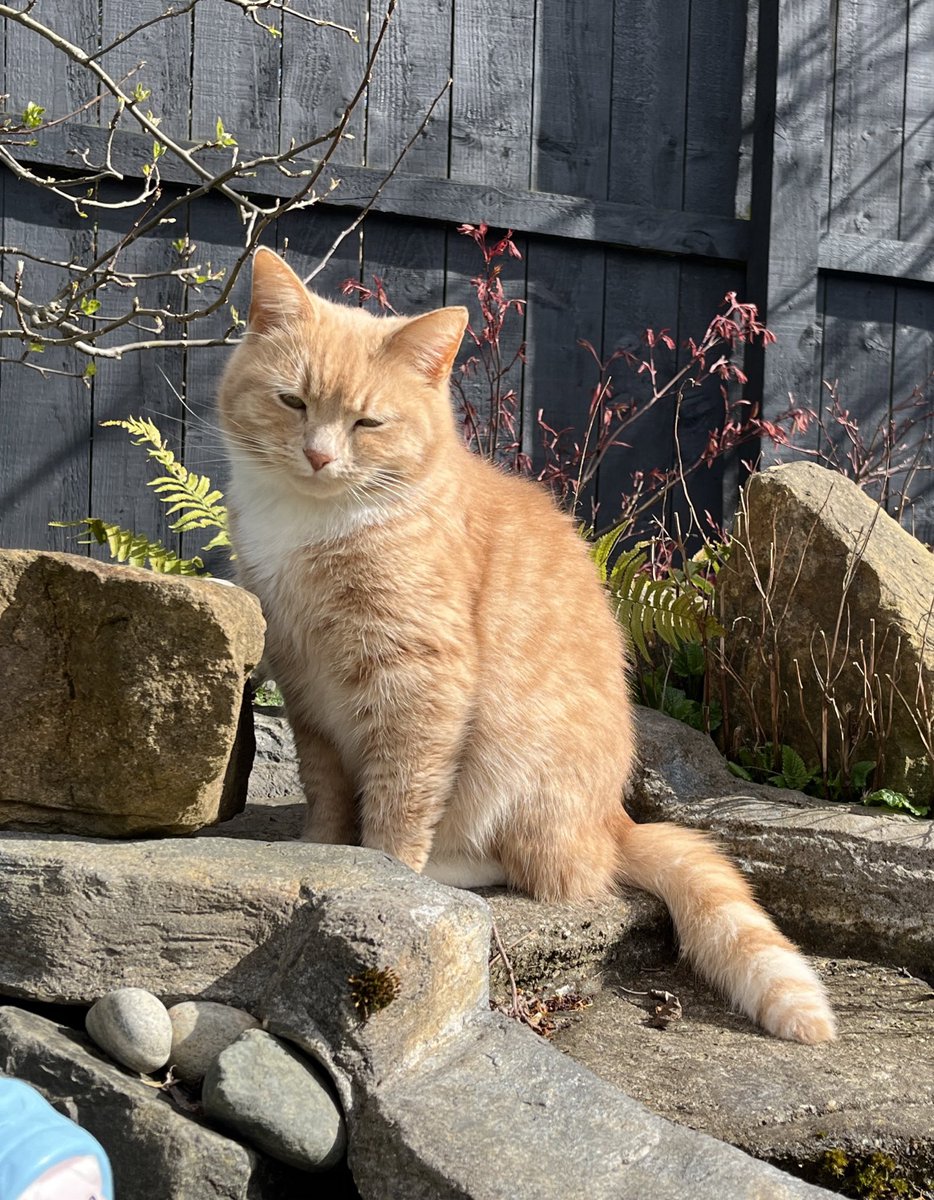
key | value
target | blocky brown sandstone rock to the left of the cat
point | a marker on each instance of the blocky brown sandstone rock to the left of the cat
(122, 706)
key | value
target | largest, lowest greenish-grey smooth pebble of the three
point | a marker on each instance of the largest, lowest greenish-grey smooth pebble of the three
(278, 1101)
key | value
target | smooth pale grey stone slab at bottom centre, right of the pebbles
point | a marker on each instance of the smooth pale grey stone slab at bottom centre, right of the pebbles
(537, 1127)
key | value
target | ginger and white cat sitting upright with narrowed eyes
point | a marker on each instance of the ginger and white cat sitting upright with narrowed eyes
(453, 673)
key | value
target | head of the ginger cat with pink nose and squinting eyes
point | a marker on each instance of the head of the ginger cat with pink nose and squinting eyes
(333, 401)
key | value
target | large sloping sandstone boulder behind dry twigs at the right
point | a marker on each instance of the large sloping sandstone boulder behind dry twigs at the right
(823, 583)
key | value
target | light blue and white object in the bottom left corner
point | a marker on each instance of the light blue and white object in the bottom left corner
(45, 1156)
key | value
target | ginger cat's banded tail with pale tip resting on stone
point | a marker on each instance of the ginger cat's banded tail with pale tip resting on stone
(723, 932)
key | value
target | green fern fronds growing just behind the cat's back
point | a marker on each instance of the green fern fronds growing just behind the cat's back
(675, 610)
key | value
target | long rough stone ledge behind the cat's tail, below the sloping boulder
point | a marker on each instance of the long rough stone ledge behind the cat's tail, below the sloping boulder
(842, 879)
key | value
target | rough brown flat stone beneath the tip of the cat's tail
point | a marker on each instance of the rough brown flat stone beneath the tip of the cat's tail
(872, 1093)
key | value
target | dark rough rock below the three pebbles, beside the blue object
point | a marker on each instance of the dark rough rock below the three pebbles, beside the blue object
(146, 1137)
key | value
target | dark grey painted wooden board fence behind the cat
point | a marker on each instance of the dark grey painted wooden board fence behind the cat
(650, 158)
